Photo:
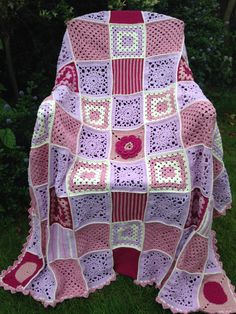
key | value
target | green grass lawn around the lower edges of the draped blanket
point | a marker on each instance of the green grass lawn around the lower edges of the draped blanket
(123, 296)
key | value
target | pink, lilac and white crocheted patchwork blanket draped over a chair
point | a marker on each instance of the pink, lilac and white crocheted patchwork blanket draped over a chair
(126, 170)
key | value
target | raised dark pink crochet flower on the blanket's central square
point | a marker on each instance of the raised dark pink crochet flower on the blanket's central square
(129, 146)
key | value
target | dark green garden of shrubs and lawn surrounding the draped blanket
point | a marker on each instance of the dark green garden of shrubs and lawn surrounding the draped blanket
(30, 40)
